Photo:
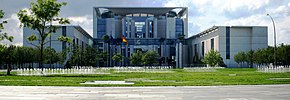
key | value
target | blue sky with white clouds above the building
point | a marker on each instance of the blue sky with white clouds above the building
(203, 14)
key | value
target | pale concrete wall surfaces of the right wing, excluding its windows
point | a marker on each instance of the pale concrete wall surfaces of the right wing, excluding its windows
(242, 38)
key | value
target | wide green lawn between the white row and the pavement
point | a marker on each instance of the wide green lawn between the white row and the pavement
(178, 77)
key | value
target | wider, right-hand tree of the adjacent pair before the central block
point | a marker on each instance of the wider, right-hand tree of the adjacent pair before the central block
(150, 57)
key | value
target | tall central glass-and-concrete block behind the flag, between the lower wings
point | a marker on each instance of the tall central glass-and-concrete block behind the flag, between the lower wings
(145, 28)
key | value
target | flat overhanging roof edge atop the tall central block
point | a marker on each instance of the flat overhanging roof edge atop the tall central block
(148, 10)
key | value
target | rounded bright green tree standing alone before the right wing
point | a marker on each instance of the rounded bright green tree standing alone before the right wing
(212, 58)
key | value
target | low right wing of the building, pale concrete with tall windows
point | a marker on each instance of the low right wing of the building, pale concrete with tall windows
(228, 40)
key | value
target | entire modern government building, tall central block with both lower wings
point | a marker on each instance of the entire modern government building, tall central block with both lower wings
(163, 29)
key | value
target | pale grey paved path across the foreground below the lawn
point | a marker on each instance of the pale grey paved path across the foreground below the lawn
(241, 92)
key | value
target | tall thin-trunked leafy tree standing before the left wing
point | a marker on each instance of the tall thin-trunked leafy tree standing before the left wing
(42, 13)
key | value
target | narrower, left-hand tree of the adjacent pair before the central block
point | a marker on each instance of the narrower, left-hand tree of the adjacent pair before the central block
(136, 58)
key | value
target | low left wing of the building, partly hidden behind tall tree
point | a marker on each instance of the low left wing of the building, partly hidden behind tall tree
(79, 36)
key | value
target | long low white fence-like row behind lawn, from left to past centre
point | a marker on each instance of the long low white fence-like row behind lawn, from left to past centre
(93, 70)
